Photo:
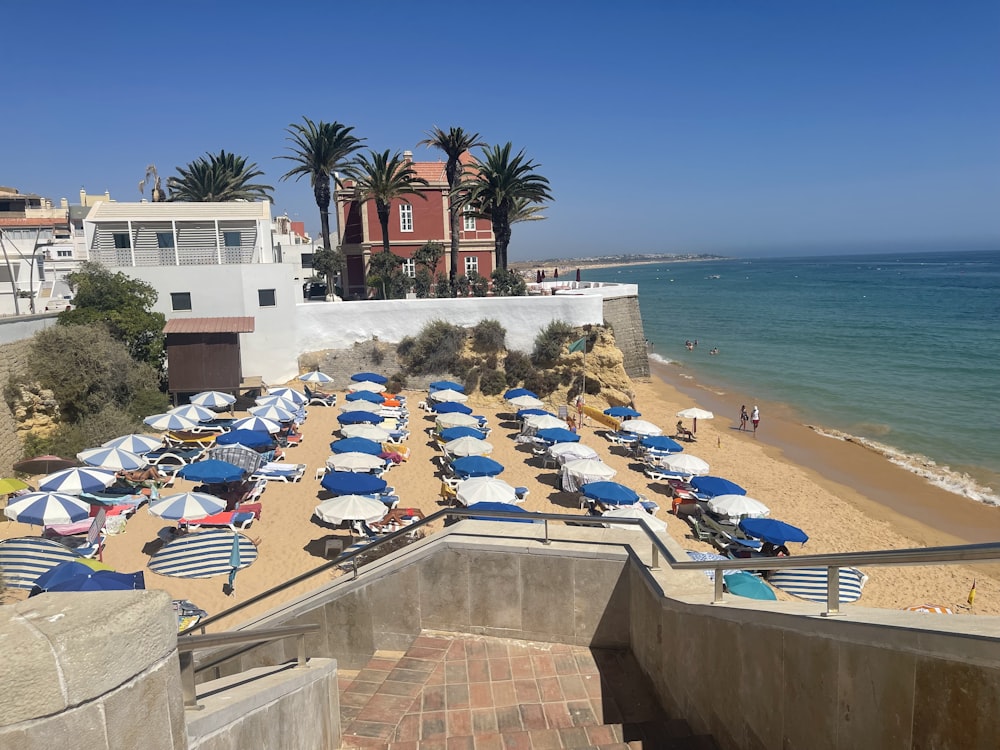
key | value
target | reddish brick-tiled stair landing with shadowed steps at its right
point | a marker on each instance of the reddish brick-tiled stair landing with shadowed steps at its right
(460, 692)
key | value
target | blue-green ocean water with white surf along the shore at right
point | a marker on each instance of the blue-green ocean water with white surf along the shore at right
(899, 350)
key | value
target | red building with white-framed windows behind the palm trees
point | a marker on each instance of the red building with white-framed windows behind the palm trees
(413, 221)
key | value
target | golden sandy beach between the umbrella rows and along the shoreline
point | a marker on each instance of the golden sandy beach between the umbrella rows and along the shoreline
(844, 497)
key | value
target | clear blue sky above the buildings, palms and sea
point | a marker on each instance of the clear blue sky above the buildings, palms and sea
(732, 127)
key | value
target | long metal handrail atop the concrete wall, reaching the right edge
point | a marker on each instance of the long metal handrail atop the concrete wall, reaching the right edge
(832, 561)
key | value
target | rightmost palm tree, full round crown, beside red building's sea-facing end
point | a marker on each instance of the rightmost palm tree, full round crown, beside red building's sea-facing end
(501, 189)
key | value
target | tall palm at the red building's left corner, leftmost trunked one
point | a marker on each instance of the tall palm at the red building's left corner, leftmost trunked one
(320, 150)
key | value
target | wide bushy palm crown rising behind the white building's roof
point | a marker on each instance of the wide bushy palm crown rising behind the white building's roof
(218, 177)
